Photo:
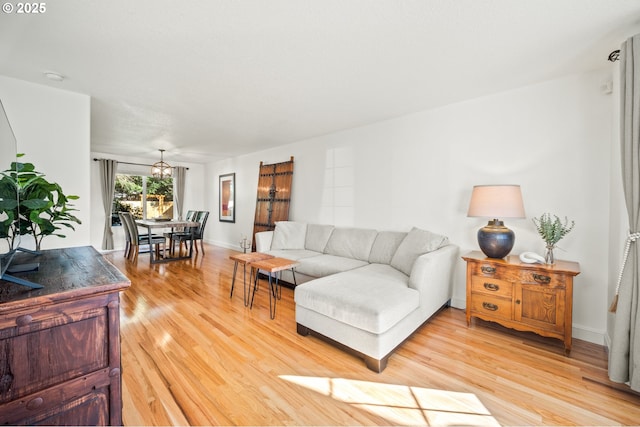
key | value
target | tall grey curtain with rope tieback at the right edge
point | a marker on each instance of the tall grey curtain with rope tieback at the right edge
(624, 356)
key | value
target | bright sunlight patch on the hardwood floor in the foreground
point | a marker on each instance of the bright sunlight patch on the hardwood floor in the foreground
(400, 404)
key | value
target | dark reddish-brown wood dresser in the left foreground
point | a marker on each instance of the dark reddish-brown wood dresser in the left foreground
(60, 345)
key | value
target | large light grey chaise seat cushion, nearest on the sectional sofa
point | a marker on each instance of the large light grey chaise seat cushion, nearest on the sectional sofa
(372, 298)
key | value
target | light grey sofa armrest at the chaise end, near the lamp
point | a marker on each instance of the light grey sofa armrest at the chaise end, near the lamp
(432, 275)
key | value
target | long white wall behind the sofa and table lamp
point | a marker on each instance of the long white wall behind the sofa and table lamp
(553, 138)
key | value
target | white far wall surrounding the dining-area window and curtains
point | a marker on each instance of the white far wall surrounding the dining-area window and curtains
(194, 192)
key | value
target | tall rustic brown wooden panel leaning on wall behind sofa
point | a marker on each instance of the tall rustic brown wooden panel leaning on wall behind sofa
(274, 196)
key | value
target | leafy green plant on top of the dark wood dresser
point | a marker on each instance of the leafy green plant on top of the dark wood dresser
(43, 207)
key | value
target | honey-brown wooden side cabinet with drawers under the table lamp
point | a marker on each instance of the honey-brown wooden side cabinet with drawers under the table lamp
(527, 297)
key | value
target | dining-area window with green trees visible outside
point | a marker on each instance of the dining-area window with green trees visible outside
(143, 196)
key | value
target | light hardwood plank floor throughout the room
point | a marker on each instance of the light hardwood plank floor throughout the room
(193, 356)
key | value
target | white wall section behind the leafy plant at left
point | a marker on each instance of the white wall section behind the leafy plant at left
(52, 129)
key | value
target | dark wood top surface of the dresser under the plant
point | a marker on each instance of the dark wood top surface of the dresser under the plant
(65, 274)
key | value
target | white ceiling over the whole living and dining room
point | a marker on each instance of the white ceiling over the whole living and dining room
(212, 79)
